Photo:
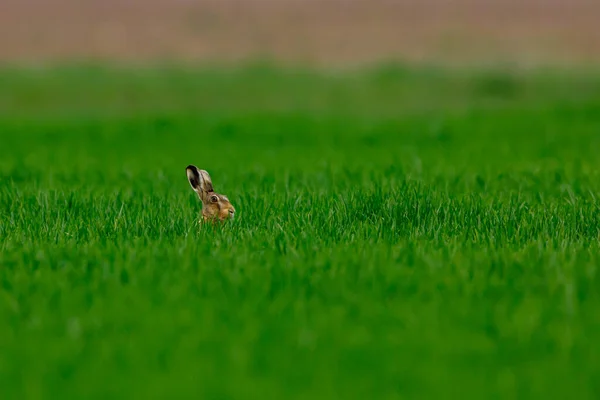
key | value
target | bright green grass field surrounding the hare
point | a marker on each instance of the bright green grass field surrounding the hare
(401, 233)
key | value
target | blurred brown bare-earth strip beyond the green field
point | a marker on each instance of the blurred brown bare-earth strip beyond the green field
(317, 32)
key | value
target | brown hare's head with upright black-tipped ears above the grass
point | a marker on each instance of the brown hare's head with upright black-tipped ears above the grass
(214, 206)
